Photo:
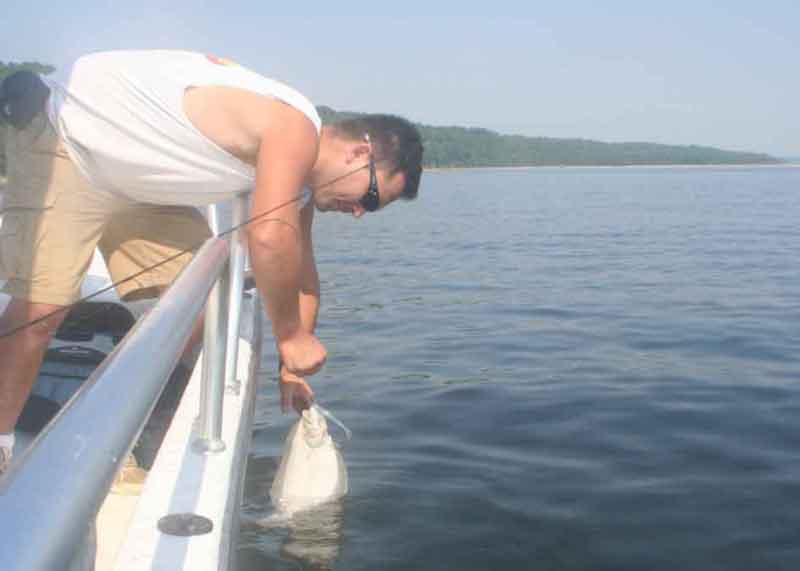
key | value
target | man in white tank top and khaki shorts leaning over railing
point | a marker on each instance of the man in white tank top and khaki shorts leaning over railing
(120, 155)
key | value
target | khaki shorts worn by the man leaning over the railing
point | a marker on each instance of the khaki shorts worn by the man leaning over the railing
(53, 220)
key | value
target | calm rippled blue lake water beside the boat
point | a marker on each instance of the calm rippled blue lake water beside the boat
(576, 369)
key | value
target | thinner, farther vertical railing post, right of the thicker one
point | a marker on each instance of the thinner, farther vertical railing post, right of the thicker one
(237, 259)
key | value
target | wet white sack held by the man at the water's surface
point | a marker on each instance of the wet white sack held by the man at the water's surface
(311, 471)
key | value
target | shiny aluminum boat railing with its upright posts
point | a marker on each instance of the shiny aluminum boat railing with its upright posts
(50, 497)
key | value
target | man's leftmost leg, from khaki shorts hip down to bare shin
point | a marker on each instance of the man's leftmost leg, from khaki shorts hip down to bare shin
(52, 221)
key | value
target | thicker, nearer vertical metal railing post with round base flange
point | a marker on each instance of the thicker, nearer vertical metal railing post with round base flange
(212, 390)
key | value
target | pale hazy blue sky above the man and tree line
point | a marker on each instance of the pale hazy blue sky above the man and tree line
(720, 73)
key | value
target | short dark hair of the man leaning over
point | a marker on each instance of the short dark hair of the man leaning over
(397, 143)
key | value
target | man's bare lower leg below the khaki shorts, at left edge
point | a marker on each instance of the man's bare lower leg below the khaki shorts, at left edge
(21, 353)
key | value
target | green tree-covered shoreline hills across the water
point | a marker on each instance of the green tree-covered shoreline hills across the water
(465, 147)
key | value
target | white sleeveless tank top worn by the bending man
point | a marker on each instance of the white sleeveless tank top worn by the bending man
(122, 121)
